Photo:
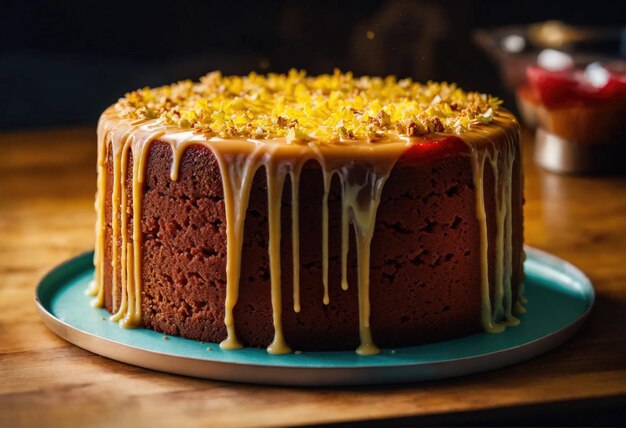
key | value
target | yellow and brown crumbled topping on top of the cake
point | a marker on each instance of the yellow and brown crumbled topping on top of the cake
(329, 107)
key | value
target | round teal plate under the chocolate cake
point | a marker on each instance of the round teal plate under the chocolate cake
(560, 297)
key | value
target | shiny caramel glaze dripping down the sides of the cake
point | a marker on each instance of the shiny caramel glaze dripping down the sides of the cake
(362, 168)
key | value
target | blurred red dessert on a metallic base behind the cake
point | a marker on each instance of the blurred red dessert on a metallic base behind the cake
(580, 116)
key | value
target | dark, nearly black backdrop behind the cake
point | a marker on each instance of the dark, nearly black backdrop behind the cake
(64, 62)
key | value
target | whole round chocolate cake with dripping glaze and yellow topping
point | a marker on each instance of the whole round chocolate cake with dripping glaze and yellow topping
(292, 212)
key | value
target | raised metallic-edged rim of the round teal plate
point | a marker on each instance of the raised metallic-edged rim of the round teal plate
(82, 339)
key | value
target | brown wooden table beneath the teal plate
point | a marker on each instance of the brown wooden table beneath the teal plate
(47, 183)
